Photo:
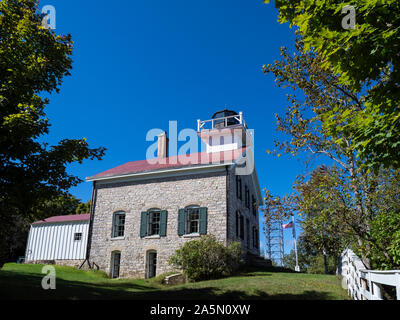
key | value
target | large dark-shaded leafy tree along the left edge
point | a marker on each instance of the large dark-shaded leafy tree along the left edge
(33, 62)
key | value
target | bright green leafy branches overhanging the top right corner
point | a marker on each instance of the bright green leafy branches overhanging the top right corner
(366, 59)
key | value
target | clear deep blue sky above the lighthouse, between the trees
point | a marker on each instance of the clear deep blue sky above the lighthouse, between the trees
(139, 64)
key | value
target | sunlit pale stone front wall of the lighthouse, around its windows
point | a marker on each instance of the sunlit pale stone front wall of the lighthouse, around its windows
(133, 197)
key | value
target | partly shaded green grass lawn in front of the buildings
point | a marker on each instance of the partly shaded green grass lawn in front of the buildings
(22, 281)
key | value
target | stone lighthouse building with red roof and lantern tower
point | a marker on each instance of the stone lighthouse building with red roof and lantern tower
(144, 210)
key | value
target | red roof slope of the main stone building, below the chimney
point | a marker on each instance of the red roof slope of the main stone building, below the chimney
(173, 162)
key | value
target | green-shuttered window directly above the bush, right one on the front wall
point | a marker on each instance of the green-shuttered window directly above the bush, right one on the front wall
(192, 219)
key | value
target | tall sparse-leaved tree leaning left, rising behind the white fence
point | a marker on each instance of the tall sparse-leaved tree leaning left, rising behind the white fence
(352, 186)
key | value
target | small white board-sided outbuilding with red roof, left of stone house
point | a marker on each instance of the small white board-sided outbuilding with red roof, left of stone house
(58, 238)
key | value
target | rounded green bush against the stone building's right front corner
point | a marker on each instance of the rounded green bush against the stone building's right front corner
(207, 258)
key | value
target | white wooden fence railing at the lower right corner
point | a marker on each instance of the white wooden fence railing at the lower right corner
(363, 284)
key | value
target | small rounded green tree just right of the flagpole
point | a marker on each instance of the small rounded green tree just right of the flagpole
(322, 206)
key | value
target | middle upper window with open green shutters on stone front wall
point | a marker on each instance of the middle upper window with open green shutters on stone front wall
(153, 222)
